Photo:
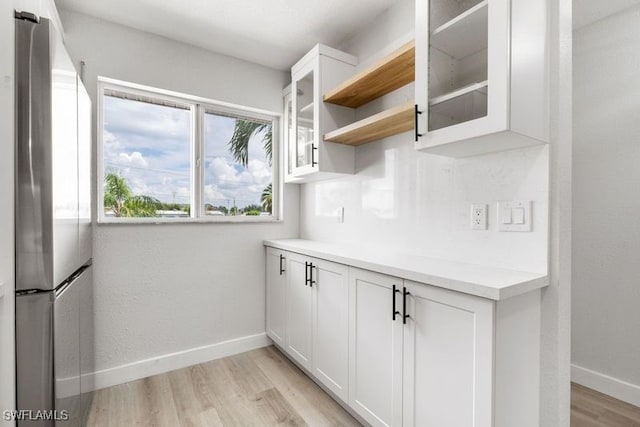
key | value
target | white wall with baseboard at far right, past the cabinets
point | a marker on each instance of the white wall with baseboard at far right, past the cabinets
(606, 230)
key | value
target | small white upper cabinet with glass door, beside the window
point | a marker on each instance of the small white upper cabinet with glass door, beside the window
(312, 158)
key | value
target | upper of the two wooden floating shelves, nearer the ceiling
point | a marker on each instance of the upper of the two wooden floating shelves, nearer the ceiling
(383, 77)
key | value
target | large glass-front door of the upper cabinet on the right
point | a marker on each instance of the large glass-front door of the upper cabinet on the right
(462, 69)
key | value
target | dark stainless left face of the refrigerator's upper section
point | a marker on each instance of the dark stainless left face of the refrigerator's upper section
(34, 237)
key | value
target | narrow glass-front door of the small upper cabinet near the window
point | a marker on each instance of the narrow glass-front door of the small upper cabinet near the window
(305, 101)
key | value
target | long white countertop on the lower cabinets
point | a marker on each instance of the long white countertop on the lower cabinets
(487, 282)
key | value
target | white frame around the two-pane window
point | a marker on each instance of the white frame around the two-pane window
(198, 107)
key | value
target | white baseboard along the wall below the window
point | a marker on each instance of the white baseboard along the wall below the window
(170, 362)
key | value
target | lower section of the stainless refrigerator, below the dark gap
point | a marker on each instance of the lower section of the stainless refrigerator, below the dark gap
(54, 337)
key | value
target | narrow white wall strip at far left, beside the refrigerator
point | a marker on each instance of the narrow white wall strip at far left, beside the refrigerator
(7, 317)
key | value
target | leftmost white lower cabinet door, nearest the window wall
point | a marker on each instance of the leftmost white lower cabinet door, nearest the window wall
(276, 295)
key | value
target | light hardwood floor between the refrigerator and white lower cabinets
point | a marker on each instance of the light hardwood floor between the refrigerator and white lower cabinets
(258, 388)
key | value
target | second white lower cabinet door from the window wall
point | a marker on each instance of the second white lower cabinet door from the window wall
(299, 309)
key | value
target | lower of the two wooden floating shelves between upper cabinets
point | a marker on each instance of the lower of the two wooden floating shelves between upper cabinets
(387, 123)
